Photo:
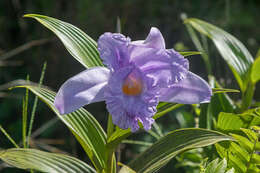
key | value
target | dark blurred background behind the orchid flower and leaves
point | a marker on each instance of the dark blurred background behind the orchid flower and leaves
(25, 45)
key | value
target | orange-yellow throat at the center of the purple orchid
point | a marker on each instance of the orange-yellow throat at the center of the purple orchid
(132, 86)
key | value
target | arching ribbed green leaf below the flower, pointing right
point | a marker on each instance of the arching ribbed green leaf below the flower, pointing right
(172, 144)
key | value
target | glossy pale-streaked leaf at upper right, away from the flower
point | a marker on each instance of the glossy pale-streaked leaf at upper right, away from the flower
(231, 49)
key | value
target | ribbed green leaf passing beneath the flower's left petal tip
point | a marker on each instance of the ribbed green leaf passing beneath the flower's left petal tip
(82, 124)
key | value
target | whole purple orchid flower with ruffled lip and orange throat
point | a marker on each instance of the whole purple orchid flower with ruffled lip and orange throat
(138, 75)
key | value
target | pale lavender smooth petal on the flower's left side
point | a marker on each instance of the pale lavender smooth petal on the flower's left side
(84, 88)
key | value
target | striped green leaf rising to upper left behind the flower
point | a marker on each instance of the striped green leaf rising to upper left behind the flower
(79, 45)
